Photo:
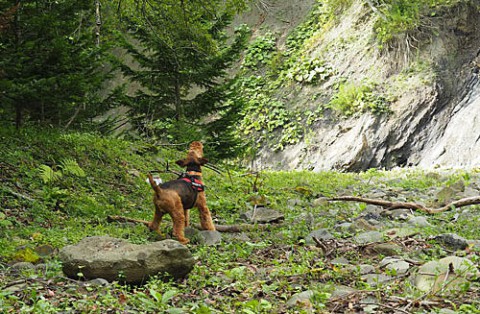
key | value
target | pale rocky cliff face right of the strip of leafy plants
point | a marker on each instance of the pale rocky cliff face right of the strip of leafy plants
(434, 77)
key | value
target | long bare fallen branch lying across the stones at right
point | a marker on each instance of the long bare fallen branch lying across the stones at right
(409, 205)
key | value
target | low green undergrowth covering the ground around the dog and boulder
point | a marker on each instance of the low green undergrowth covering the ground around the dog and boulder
(58, 188)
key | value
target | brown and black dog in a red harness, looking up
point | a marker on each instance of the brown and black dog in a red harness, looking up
(178, 196)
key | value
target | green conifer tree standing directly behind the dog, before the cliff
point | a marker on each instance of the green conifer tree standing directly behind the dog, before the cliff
(181, 54)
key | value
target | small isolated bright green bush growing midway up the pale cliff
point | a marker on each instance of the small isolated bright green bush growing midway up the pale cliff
(353, 98)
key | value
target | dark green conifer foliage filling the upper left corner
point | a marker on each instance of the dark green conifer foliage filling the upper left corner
(51, 67)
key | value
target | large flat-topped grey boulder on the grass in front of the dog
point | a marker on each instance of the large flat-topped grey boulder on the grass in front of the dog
(116, 259)
